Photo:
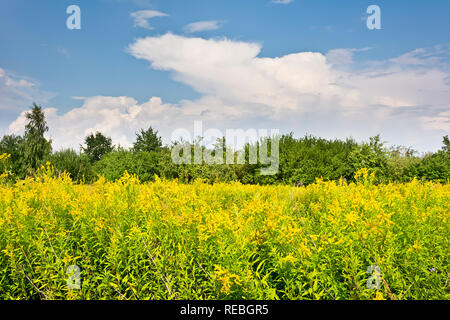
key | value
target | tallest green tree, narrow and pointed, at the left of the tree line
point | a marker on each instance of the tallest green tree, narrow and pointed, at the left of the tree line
(36, 147)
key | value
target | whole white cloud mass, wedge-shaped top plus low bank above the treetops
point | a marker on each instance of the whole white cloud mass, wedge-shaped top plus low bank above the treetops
(304, 92)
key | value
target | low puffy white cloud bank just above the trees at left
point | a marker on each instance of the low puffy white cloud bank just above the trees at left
(117, 117)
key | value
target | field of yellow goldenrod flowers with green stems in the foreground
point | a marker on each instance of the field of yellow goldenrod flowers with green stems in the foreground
(166, 240)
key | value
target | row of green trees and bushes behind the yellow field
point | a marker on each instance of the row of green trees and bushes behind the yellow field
(301, 160)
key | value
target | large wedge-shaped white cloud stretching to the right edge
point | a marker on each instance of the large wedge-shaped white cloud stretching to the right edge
(308, 87)
